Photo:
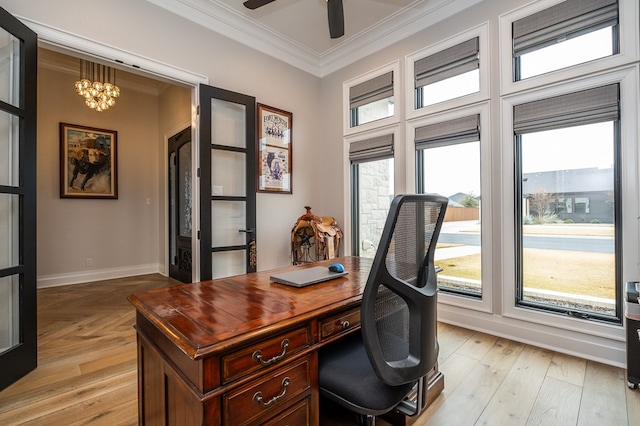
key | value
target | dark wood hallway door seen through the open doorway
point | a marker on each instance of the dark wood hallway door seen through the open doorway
(180, 206)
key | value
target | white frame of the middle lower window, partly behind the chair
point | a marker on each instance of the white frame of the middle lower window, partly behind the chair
(485, 303)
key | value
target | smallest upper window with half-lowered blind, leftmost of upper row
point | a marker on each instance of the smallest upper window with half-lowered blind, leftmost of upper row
(371, 100)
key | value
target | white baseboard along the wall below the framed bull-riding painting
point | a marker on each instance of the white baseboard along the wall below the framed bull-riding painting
(98, 275)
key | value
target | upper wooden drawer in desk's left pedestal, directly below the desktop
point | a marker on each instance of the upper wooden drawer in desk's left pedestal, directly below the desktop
(264, 354)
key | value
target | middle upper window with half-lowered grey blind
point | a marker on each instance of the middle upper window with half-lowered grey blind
(448, 74)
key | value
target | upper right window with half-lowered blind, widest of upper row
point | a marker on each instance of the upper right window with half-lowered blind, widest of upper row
(567, 34)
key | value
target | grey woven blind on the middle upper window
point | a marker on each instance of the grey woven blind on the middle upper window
(447, 63)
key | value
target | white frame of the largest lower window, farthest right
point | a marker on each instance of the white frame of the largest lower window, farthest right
(628, 79)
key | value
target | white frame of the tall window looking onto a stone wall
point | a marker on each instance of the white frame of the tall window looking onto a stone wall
(398, 184)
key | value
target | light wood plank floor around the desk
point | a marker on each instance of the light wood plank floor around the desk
(87, 371)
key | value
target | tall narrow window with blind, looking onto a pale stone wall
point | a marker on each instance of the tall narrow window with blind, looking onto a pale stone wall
(372, 189)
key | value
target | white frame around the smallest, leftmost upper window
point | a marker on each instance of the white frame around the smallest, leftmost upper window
(397, 98)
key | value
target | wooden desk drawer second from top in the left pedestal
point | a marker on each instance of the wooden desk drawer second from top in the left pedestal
(268, 395)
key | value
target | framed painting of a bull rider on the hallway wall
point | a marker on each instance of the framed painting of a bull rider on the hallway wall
(88, 162)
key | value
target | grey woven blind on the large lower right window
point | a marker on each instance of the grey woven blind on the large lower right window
(573, 109)
